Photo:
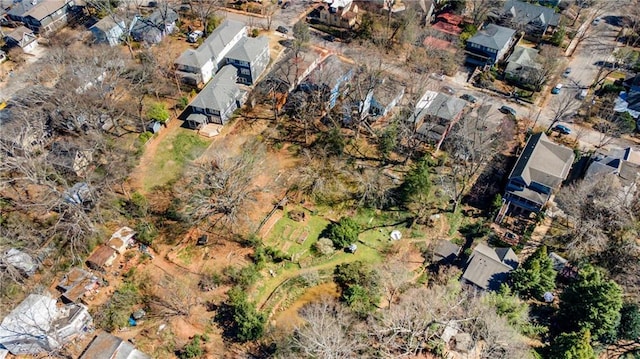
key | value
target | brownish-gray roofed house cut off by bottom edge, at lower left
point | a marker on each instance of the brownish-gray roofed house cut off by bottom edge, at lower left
(107, 346)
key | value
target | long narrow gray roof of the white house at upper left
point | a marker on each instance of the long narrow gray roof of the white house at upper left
(213, 45)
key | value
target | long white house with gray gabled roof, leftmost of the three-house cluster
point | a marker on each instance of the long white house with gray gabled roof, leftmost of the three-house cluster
(195, 67)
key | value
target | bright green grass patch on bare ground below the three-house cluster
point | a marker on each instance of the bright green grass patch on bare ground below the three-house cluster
(174, 152)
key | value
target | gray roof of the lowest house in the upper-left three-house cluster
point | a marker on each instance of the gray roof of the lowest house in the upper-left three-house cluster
(220, 92)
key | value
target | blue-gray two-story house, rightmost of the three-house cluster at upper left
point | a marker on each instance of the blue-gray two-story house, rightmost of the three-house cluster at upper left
(250, 56)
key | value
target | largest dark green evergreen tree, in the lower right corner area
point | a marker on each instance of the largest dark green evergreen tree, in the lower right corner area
(593, 302)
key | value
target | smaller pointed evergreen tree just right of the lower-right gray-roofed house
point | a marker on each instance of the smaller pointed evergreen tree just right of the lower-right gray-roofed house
(535, 276)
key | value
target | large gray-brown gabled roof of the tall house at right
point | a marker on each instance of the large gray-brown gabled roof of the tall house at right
(543, 161)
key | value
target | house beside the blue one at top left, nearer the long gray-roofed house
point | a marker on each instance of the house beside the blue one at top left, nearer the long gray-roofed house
(153, 28)
